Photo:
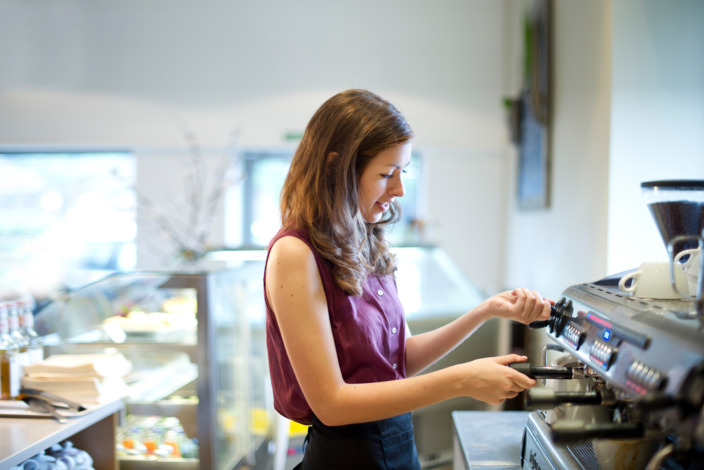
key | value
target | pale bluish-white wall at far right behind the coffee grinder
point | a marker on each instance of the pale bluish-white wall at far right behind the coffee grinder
(657, 117)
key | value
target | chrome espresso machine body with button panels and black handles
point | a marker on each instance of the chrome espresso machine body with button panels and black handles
(643, 362)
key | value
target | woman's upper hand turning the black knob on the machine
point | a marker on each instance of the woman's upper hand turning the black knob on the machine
(521, 305)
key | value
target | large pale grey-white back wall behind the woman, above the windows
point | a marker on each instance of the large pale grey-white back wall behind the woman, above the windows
(131, 74)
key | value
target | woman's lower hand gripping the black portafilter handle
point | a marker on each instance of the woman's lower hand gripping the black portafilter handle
(491, 380)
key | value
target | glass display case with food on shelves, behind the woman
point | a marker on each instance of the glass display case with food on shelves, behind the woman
(199, 379)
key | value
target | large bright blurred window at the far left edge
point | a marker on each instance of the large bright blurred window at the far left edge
(65, 215)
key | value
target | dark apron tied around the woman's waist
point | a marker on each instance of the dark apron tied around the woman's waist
(384, 445)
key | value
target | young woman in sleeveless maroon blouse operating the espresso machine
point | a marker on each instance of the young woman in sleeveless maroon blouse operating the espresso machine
(341, 356)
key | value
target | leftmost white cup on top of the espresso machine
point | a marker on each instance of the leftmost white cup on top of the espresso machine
(653, 280)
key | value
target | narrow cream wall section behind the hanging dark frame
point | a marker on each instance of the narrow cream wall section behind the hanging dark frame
(565, 244)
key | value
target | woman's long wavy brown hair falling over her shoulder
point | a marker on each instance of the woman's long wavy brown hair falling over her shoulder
(320, 191)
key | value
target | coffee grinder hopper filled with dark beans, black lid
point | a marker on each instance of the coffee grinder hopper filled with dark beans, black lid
(678, 209)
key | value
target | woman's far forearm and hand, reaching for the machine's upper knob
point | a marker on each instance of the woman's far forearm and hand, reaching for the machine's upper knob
(520, 305)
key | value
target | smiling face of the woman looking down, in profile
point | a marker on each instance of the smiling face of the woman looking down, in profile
(381, 183)
